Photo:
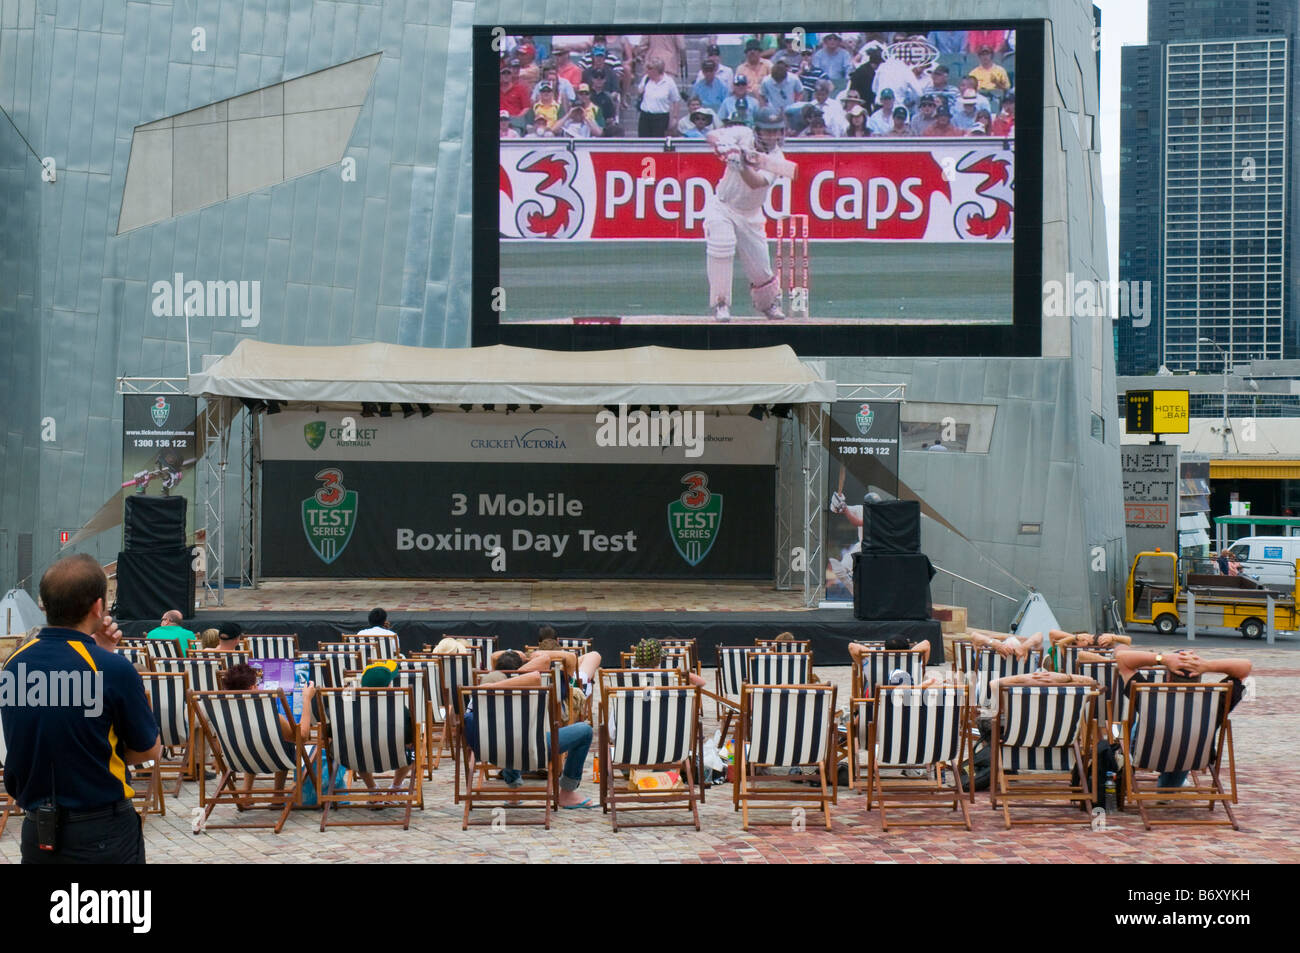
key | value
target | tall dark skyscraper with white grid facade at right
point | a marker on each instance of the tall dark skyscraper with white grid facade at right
(1208, 150)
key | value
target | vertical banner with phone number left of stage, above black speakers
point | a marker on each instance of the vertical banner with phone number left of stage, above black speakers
(161, 447)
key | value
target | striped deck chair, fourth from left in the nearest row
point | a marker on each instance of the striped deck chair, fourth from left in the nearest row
(657, 730)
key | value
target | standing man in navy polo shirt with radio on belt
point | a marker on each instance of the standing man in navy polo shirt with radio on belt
(75, 716)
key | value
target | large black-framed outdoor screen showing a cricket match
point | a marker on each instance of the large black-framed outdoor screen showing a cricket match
(846, 189)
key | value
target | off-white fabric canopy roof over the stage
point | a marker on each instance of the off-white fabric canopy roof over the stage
(393, 374)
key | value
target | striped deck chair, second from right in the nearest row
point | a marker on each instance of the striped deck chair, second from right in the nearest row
(1042, 735)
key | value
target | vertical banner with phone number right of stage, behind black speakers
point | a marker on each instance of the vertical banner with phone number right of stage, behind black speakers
(864, 458)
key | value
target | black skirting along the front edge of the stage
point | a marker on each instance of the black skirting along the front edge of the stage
(829, 630)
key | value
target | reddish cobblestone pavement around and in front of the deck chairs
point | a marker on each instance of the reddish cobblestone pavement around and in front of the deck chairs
(1266, 733)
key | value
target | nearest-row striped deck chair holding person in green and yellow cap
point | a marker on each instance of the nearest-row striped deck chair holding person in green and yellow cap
(366, 733)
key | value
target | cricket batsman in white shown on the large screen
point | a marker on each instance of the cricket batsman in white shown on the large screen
(734, 215)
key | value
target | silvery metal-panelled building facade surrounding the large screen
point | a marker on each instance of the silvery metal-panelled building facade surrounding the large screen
(385, 254)
